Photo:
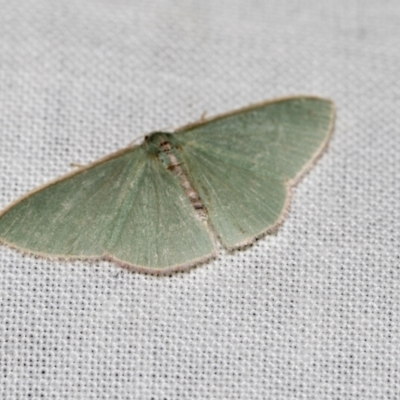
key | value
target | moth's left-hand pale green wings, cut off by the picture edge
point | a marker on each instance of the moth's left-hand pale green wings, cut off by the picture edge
(127, 207)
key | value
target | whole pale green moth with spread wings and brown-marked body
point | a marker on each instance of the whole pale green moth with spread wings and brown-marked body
(160, 206)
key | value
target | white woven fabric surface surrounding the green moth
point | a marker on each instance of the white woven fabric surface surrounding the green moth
(309, 313)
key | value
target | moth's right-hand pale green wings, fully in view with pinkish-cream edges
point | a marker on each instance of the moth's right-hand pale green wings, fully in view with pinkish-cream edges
(243, 164)
